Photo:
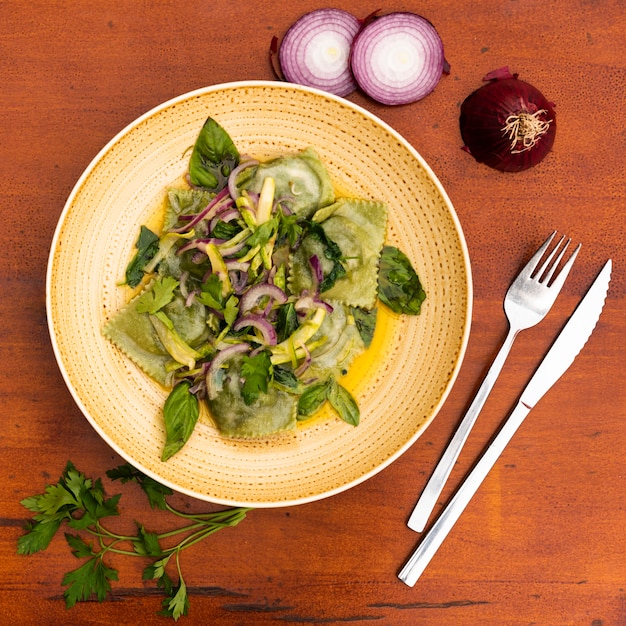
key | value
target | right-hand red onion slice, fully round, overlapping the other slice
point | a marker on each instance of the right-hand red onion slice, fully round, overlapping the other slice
(398, 58)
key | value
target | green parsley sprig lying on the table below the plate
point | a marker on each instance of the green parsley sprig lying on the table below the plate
(81, 503)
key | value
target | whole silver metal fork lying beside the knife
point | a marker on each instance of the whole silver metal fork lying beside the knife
(527, 301)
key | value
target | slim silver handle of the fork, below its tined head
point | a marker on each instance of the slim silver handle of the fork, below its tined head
(432, 491)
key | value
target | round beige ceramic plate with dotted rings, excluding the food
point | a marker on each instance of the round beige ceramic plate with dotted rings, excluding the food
(400, 384)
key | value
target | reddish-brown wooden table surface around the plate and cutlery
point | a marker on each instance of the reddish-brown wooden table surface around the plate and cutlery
(544, 540)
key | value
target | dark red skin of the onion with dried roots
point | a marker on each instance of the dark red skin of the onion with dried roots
(483, 116)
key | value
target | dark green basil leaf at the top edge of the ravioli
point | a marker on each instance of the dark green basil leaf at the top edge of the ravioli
(213, 158)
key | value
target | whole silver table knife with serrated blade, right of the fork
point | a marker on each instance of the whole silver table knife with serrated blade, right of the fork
(559, 357)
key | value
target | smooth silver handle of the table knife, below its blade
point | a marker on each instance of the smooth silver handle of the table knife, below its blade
(418, 561)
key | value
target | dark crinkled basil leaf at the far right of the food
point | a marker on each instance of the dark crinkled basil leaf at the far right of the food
(399, 286)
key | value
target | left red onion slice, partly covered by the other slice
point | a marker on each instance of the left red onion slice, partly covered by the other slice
(315, 51)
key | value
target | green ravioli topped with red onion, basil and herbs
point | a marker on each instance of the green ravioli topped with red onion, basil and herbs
(258, 293)
